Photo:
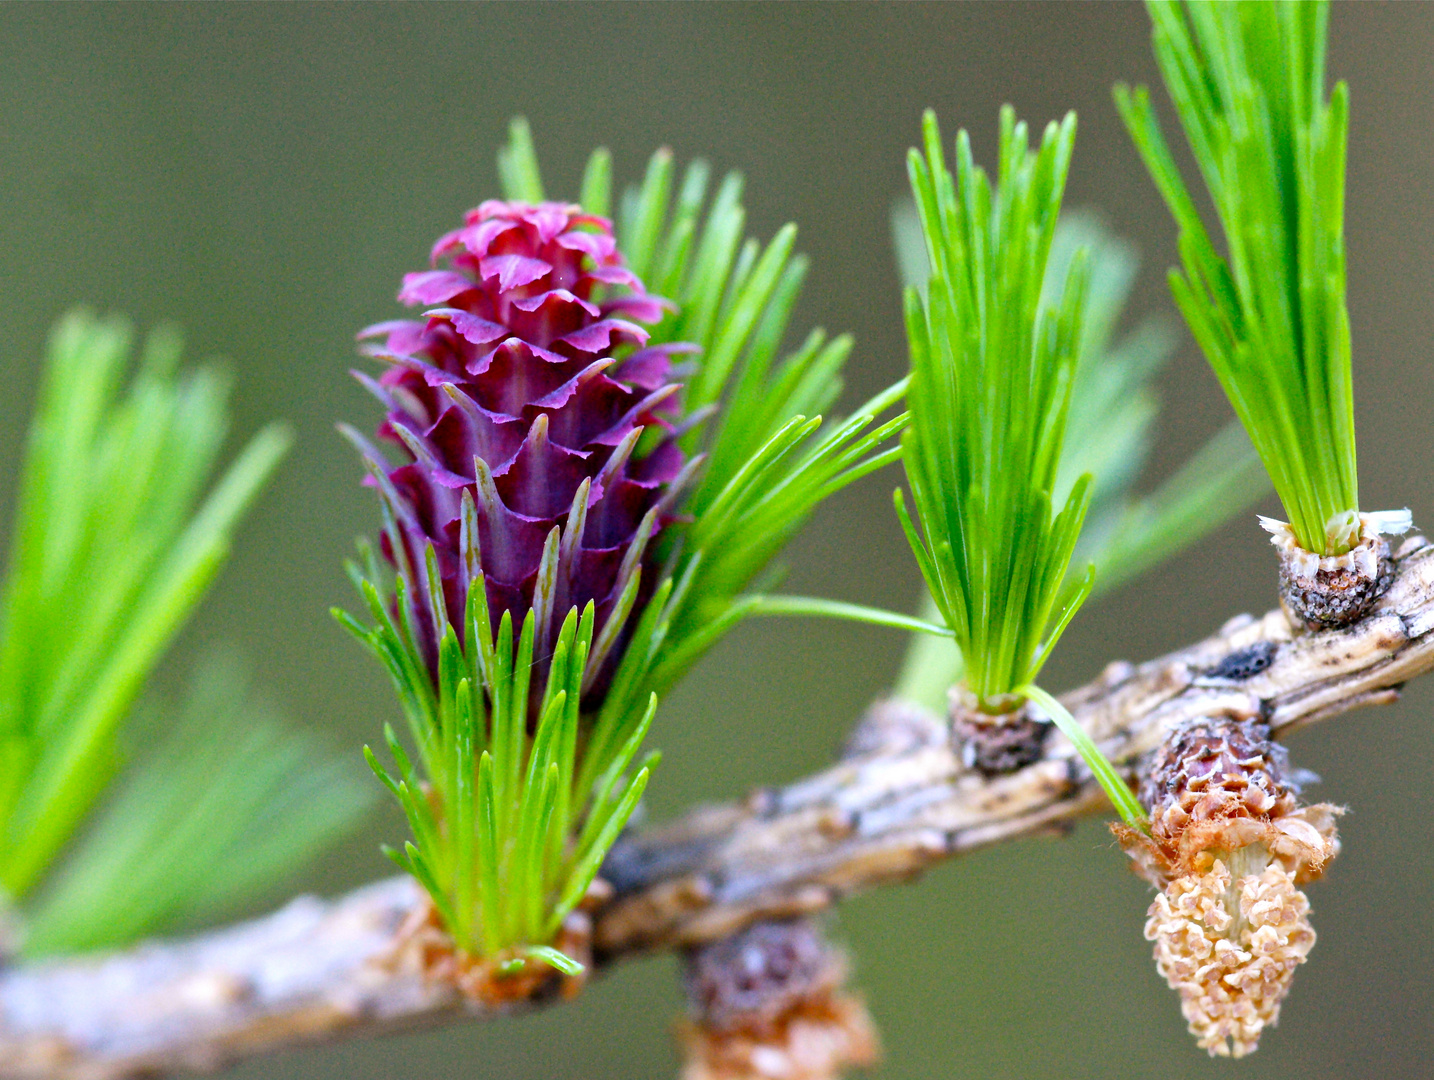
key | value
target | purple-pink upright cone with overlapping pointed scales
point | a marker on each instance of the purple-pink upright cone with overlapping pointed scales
(531, 387)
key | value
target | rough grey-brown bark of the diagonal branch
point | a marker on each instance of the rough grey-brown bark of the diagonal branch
(901, 801)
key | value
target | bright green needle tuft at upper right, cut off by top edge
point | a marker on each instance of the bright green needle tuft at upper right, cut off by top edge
(1248, 84)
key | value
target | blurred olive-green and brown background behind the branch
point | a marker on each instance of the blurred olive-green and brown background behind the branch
(265, 174)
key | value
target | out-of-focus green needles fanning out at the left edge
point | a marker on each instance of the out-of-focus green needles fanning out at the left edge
(123, 524)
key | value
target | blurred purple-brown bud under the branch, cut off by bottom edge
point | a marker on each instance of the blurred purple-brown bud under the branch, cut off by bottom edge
(768, 1005)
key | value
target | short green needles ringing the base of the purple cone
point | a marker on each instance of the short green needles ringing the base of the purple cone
(510, 825)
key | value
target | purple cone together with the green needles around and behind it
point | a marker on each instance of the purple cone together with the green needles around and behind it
(592, 477)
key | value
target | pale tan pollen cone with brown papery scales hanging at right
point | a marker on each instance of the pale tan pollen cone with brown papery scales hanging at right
(1228, 848)
